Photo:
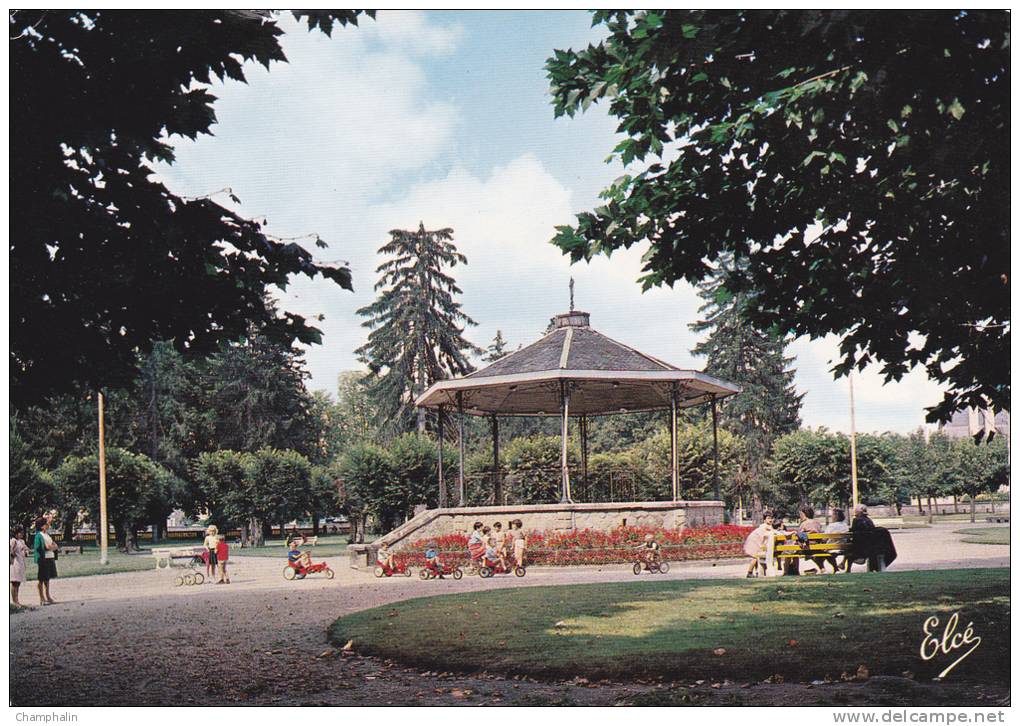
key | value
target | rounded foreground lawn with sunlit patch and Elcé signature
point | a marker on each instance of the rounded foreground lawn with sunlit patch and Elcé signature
(801, 629)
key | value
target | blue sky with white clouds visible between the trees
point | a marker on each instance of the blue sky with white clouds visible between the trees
(444, 118)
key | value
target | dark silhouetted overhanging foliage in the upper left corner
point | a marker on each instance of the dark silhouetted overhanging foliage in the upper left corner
(107, 260)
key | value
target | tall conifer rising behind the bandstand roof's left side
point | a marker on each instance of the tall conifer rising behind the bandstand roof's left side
(417, 325)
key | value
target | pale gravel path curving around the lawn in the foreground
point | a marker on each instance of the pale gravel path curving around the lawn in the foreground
(133, 639)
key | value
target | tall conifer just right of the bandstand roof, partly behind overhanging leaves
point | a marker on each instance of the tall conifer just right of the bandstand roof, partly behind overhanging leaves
(769, 406)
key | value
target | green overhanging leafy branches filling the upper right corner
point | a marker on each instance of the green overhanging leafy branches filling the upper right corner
(851, 162)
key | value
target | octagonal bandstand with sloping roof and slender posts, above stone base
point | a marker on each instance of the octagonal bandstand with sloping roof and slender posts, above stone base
(574, 373)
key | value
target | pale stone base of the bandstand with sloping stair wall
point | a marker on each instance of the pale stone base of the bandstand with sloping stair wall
(543, 517)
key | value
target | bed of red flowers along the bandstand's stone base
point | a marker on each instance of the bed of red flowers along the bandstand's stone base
(590, 547)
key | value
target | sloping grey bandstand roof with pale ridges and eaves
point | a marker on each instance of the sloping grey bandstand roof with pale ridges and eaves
(603, 378)
